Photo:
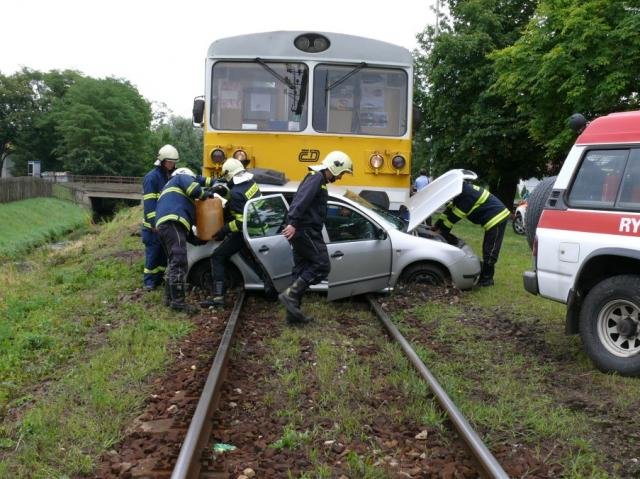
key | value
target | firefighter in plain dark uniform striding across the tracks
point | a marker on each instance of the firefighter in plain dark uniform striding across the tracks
(304, 231)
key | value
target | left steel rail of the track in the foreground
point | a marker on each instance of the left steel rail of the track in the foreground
(188, 463)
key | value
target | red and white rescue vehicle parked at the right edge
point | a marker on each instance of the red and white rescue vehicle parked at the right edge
(586, 251)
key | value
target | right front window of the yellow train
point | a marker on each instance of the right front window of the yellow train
(360, 100)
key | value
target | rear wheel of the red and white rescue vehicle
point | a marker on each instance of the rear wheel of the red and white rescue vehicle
(610, 325)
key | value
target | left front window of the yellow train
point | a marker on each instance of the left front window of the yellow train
(259, 95)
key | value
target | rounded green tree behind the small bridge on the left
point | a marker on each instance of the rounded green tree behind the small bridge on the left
(103, 126)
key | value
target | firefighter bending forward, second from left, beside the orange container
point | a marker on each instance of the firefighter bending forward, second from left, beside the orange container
(175, 214)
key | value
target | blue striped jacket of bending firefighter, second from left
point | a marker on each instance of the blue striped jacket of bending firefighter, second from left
(177, 199)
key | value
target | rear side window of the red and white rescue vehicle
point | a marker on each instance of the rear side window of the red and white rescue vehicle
(598, 180)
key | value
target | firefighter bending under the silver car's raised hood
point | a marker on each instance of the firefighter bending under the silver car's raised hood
(482, 208)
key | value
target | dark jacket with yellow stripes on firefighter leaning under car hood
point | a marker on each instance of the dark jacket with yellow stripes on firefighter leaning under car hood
(475, 204)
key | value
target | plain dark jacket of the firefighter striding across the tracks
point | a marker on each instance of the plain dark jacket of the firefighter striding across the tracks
(309, 206)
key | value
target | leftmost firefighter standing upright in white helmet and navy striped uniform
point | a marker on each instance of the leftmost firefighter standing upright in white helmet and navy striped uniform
(155, 260)
